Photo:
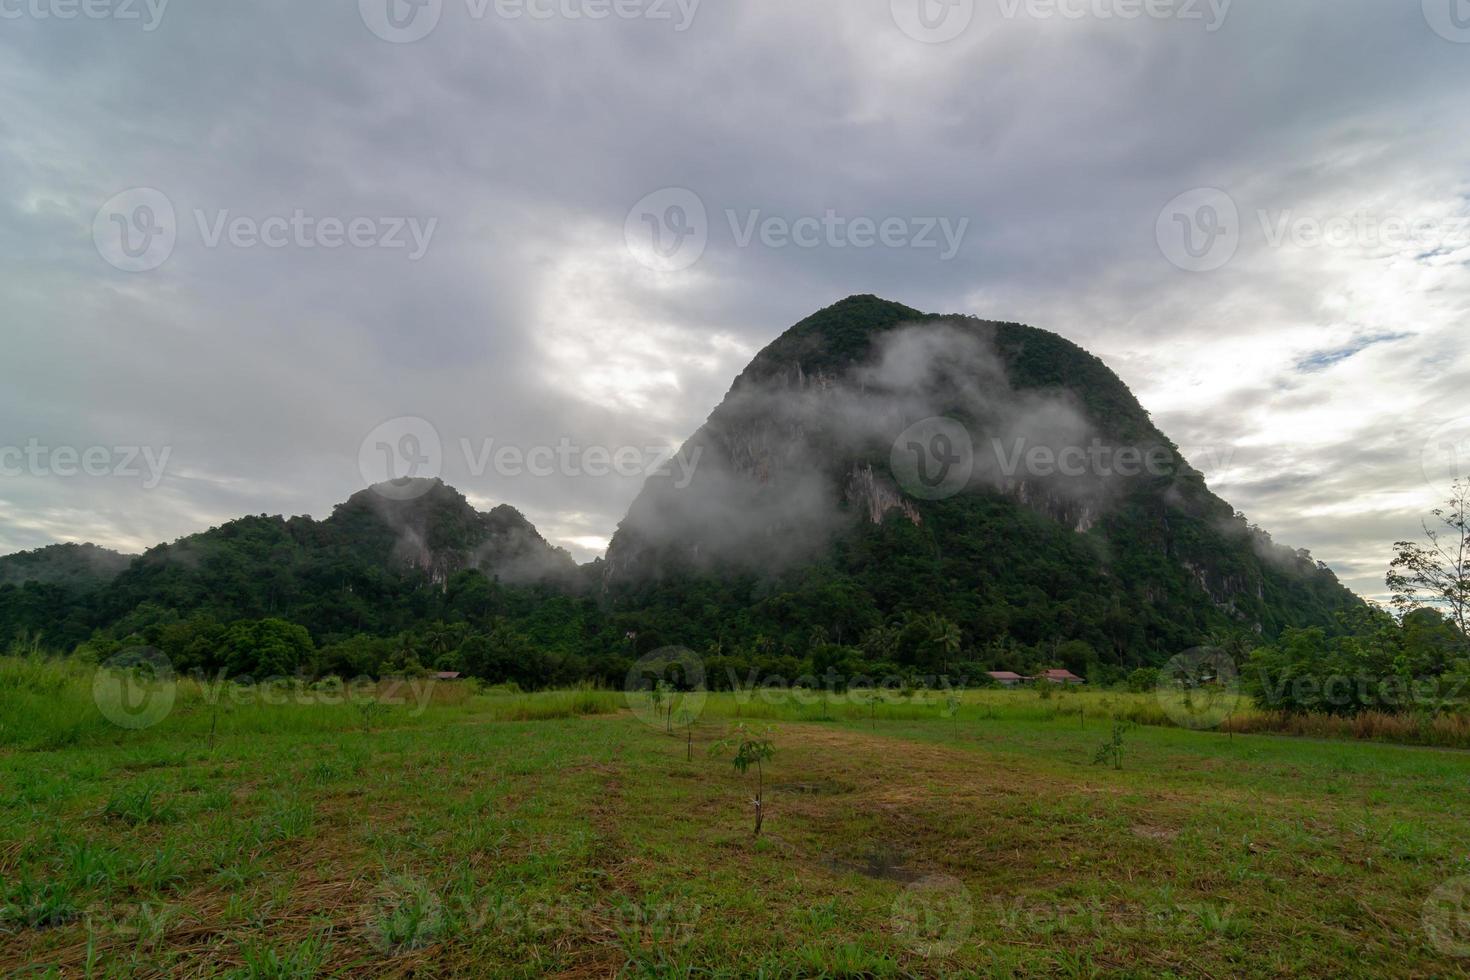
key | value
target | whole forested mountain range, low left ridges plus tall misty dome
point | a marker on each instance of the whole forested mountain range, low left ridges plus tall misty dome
(802, 543)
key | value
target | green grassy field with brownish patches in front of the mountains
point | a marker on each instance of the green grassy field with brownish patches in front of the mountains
(561, 835)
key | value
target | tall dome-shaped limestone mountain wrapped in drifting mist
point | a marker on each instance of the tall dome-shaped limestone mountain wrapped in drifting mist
(799, 489)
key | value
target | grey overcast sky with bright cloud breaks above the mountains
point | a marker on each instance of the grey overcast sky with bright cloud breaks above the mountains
(509, 167)
